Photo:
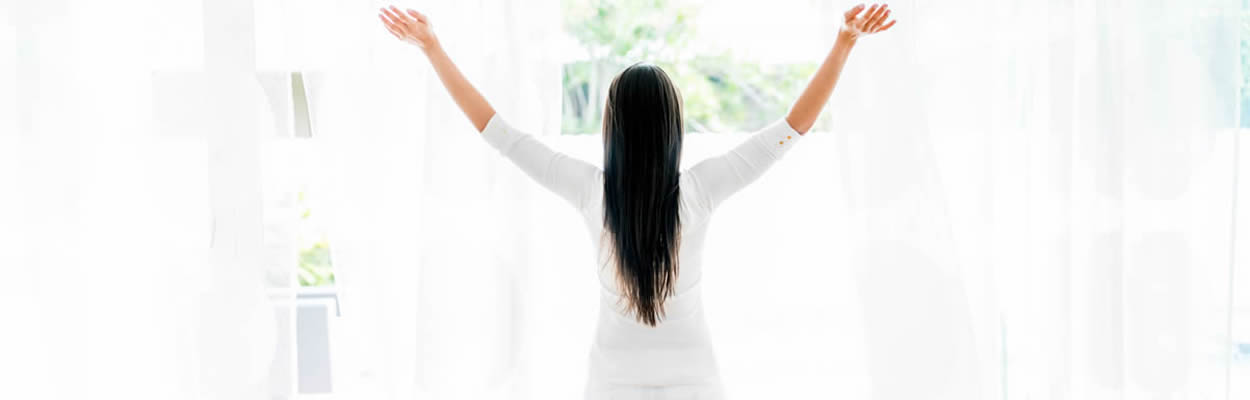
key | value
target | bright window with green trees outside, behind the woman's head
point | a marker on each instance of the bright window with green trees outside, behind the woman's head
(727, 87)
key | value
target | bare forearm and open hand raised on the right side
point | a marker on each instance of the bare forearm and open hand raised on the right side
(804, 113)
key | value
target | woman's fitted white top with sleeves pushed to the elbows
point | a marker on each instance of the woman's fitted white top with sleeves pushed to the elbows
(678, 351)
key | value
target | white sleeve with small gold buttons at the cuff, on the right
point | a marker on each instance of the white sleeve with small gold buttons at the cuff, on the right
(721, 177)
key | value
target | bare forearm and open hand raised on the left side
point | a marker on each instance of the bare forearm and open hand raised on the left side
(414, 28)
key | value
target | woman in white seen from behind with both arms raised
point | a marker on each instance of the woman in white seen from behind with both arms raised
(649, 217)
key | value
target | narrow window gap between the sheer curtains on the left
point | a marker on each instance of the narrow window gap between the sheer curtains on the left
(302, 264)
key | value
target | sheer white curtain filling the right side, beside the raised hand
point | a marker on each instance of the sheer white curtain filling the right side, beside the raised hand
(1041, 199)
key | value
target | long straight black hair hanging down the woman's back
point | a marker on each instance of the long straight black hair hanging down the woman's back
(643, 132)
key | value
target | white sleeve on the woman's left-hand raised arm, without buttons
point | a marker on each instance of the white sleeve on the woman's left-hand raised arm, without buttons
(567, 177)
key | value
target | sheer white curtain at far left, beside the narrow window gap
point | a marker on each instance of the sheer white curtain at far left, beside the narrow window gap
(131, 223)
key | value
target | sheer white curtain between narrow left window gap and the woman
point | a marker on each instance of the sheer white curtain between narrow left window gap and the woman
(428, 224)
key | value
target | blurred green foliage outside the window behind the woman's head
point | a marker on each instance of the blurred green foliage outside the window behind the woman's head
(722, 92)
